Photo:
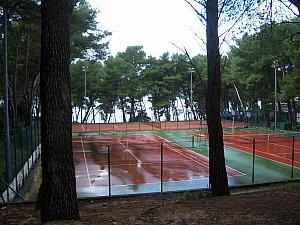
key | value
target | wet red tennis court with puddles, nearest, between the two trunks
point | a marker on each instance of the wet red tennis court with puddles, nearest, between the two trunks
(108, 164)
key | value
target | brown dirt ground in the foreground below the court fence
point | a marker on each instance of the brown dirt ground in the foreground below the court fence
(263, 207)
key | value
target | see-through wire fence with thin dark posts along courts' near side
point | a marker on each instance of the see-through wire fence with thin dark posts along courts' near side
(116, 160)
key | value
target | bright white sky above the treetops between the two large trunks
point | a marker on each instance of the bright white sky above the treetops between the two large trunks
(154, 24)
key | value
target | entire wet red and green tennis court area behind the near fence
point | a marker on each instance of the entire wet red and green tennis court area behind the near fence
(133, 158)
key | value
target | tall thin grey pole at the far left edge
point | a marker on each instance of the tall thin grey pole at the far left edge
(5, 94)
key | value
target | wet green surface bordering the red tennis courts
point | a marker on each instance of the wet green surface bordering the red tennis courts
(265, 170)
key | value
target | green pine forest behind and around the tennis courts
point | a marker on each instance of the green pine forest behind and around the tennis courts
(123, 80)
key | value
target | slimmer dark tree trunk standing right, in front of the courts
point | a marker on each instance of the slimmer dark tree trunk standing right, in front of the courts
(217, 170)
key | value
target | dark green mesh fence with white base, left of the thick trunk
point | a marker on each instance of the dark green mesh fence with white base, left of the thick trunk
(16, 164)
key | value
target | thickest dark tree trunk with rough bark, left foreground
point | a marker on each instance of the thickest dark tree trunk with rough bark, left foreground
(57, 194)
